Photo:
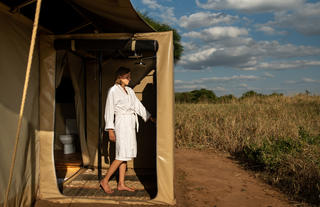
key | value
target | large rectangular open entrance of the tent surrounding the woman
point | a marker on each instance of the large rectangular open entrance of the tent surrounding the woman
(89, 67)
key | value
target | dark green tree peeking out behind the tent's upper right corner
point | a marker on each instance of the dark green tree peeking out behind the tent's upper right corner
(160, 27)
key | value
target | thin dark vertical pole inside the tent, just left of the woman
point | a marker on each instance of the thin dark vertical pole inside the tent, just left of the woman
(100, 116)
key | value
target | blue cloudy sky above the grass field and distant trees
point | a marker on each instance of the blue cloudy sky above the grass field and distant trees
(233, 46)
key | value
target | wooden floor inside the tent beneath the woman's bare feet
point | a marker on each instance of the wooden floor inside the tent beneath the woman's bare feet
(76, 181)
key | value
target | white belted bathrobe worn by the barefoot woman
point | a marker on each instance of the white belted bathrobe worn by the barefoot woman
(121, 115)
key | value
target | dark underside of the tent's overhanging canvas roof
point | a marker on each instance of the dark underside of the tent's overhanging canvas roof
(83, 16)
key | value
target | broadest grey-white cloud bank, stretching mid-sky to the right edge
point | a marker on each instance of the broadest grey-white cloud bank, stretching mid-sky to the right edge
(249, 55)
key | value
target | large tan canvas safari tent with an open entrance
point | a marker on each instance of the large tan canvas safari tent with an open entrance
(82, 41)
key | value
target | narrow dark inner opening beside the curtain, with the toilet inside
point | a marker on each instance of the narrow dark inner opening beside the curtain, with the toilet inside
(68, 159)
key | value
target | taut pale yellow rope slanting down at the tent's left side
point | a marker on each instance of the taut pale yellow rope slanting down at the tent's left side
(24, 95)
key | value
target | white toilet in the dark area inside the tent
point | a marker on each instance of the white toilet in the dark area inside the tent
(68, 138)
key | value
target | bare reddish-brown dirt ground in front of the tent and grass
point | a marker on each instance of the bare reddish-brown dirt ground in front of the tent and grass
(211, 179)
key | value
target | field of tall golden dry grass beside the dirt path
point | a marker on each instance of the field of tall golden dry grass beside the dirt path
(278, 134)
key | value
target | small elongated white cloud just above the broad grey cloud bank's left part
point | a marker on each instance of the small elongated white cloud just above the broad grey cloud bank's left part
(217, 33)
